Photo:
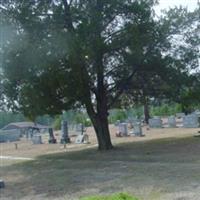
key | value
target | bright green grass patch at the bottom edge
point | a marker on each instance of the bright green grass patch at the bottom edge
(120, 196)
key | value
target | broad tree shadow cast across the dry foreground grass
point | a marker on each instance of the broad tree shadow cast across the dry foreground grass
(105, 172)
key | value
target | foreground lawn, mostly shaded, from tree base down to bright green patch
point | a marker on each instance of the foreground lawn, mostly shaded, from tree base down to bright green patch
(166, 169)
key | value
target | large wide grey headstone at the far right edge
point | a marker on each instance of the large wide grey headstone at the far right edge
(191, 121)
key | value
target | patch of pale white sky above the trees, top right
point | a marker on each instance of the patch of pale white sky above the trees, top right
(165, 4)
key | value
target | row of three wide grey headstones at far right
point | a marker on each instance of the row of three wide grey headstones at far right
(189, 121)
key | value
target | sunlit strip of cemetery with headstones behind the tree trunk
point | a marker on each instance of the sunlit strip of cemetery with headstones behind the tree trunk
(79, 137)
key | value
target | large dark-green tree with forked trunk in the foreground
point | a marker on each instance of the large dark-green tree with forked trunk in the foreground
(70, 53)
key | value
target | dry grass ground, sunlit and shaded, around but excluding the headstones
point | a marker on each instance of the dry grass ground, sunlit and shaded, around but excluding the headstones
(131, 158)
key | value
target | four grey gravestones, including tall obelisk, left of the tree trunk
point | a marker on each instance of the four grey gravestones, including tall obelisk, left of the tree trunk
(81, 138)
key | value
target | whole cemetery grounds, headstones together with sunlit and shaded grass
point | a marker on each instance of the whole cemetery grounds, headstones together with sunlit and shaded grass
(26, 147)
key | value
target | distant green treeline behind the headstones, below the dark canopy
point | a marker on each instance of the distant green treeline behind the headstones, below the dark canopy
(76, 117)
